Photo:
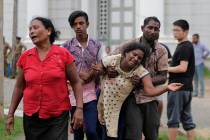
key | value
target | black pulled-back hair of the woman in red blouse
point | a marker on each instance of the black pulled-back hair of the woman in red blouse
(48, 25)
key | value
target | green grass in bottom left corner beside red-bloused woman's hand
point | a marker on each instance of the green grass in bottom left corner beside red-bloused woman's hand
(18, 129)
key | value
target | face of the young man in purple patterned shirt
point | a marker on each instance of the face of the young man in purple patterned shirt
(80, 26)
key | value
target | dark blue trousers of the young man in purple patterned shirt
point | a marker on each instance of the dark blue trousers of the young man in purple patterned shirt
(90, 122)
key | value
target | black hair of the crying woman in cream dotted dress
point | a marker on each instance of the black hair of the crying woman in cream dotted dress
(136, 46)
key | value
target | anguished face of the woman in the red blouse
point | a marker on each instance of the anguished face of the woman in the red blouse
(38, 33)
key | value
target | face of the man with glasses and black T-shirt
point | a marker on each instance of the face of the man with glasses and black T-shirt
(179, 33)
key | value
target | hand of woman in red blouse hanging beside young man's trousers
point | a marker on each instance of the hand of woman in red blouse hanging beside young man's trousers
(77, 120)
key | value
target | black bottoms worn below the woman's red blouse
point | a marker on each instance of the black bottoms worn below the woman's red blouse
(55, 128)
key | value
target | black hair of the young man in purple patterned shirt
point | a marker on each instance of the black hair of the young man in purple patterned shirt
(75, 15)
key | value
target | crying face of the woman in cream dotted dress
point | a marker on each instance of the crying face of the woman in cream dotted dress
(133, 58)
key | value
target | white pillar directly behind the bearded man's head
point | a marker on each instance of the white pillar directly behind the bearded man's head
(151, 8)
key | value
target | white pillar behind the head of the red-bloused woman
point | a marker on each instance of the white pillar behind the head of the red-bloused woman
(35, 8)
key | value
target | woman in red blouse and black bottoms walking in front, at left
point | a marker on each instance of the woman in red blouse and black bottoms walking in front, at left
(41, 81)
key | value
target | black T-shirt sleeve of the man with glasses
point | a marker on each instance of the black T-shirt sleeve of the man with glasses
(185, 53)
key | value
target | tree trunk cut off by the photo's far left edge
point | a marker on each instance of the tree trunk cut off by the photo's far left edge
(1, 62)
